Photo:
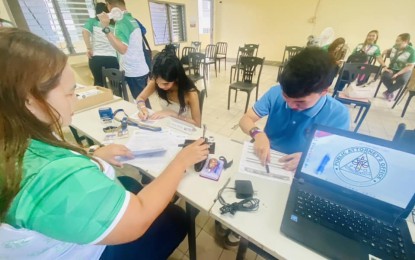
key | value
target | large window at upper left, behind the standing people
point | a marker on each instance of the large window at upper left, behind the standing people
(58, 21)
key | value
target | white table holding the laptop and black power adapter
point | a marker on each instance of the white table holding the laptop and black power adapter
(262, 227)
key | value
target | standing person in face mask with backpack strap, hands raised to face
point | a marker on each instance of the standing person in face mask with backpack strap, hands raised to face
(127, 39)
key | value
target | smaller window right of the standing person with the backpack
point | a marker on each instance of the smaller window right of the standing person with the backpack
(168, 21)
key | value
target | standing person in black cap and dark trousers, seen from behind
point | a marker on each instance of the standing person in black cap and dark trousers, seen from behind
(100, 52)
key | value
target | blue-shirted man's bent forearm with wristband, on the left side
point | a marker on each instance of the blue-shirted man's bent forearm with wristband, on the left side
(261, 143)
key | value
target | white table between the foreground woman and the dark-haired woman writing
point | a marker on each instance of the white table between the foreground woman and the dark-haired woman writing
(198, 192)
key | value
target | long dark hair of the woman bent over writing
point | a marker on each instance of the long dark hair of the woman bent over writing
(168, 67)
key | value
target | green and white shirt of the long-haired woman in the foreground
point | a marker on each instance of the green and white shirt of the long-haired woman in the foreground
(64, 201)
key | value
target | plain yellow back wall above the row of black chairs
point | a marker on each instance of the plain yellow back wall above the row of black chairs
(276, 23)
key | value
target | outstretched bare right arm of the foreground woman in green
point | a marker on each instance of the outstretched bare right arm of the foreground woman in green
(147, 205)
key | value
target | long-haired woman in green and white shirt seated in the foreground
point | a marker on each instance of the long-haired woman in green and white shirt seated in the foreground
(63, 203)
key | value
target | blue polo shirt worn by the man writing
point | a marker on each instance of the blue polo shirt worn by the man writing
(287, 129)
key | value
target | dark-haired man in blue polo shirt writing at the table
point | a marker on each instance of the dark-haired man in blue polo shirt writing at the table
(294, 106)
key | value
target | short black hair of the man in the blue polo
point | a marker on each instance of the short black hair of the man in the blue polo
(310, 71)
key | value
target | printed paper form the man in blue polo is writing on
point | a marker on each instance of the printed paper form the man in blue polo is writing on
(250, 164)
